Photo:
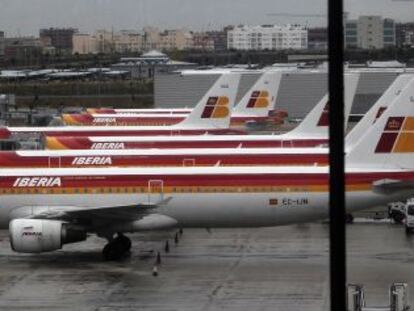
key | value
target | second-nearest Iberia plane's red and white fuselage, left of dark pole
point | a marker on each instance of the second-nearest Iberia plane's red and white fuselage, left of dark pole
(163, 157)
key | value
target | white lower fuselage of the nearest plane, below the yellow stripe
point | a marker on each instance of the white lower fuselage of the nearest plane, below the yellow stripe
(210, 210)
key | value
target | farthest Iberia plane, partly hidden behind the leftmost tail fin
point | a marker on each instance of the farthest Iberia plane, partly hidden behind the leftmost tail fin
(255, 107)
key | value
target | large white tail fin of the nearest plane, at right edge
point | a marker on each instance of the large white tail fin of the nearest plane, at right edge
(389, 142)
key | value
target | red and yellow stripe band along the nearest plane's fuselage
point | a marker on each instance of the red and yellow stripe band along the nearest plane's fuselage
(200, 183)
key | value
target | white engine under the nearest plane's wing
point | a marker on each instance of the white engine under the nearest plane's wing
(38, 235)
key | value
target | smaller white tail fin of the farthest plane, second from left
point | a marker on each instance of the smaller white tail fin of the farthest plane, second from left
(261, 97)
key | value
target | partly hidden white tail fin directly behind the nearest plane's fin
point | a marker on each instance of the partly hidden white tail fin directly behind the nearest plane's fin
(377, 110)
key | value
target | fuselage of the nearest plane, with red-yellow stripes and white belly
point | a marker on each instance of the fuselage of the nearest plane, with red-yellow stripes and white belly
(260, 199)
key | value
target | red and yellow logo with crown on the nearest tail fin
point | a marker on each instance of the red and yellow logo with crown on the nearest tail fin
(398, 136)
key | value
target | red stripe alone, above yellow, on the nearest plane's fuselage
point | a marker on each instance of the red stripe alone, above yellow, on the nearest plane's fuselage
(301, 180)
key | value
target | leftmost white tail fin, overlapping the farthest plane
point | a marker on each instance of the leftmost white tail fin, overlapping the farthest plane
(214, 109)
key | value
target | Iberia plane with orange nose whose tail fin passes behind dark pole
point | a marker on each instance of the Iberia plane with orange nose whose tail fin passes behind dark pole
(311, 132)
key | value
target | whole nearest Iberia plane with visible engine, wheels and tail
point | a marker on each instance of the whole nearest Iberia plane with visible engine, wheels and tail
(47, 208)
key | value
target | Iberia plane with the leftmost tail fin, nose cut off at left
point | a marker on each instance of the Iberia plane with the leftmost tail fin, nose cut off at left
(210, 116)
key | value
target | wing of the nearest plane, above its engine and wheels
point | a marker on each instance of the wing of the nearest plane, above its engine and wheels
(108, 213)
